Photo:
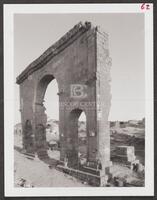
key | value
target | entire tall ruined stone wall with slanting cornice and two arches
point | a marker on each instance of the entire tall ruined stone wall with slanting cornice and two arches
(80, 63)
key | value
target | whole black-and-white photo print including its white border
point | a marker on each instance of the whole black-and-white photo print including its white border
(81, 99)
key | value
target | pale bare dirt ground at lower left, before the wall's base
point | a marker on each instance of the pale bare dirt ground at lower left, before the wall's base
(38, 174)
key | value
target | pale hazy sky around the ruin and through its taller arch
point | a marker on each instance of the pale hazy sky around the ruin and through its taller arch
(34, 33)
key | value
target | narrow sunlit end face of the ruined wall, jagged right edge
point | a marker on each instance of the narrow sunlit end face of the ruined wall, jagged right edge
(103, 98)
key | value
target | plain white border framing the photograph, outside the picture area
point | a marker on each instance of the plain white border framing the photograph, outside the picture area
(9, 11)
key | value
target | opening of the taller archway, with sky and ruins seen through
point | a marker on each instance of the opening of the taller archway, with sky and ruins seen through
(51, 104)
